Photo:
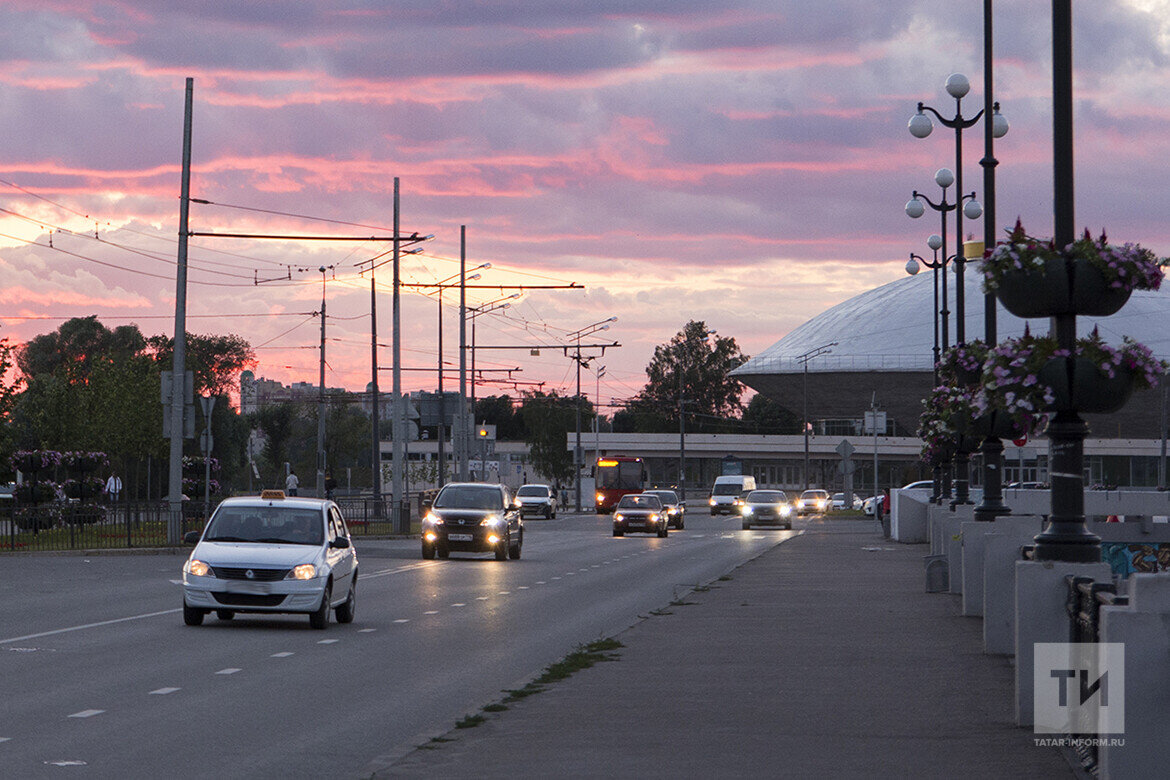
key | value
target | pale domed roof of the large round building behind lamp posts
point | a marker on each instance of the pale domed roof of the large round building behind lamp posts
(891, 329)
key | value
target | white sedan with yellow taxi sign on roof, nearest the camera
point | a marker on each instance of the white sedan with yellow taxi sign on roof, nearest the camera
(272, 554)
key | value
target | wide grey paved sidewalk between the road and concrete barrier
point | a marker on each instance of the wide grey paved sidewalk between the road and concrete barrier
(822, 658)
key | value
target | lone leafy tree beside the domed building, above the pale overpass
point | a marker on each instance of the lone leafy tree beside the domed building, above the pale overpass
(698, 368)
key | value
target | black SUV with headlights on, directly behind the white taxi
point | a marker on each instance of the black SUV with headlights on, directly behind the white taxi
(473, 517)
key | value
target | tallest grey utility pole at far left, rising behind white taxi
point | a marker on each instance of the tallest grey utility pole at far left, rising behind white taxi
(178, 376)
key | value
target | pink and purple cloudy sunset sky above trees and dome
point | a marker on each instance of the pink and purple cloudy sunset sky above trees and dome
(740, 162)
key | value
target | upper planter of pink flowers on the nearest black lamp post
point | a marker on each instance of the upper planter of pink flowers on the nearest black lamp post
(1035, 279)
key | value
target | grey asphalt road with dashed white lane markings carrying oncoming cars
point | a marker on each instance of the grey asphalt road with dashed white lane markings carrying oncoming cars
(100, 678)
